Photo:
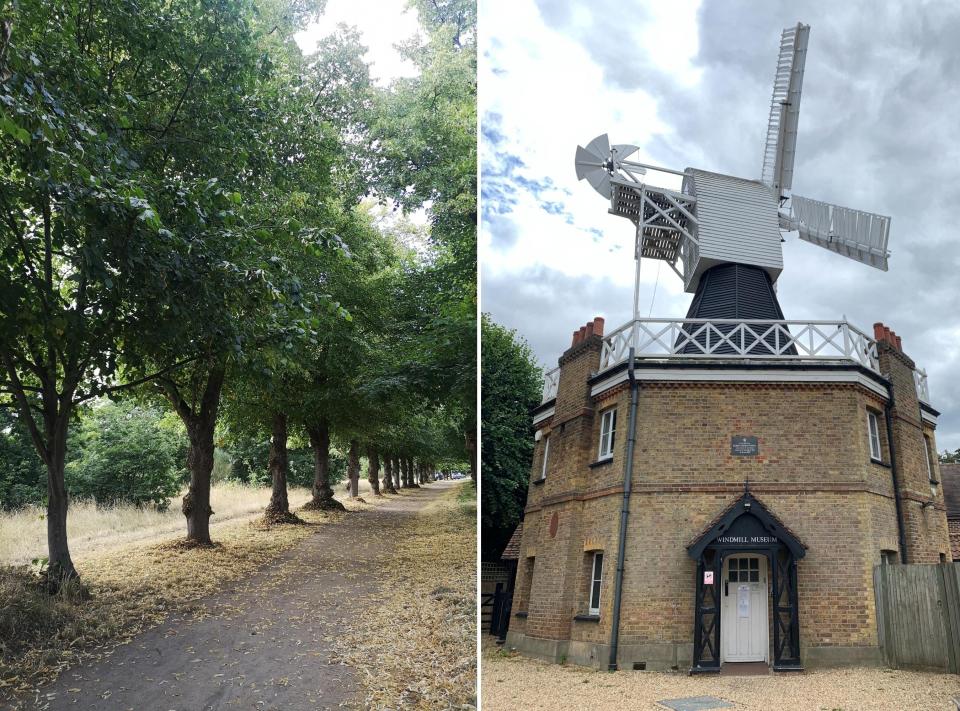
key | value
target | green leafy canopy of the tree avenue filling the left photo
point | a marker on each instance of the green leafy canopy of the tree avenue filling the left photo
(188, 217)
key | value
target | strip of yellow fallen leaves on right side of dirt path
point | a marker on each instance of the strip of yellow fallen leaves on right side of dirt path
(415, 643)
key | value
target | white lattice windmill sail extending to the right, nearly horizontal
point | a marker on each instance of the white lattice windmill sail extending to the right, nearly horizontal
(856, 234)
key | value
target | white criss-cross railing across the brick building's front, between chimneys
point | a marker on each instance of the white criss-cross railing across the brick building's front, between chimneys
(739, 338)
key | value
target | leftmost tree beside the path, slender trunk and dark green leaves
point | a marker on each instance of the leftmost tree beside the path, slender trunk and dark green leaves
(80, 244)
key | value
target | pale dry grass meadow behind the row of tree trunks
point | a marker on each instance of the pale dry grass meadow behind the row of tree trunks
(23, 533)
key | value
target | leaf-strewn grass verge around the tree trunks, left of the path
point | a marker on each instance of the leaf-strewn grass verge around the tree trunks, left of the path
(133, 585)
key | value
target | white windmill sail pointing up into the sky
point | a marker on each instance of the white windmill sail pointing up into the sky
(781, 142)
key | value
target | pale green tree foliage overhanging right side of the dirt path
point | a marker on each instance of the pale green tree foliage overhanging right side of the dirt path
(426, 156)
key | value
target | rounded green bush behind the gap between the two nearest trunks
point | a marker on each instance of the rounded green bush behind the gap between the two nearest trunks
(127, 453)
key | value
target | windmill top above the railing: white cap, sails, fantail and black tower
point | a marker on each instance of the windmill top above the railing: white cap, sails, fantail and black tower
(720, 233)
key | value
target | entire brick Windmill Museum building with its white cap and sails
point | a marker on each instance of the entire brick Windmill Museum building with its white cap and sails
(748, 470)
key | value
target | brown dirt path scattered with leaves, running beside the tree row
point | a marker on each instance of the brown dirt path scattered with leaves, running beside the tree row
(265, 643)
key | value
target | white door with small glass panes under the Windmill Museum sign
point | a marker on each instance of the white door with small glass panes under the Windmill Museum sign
(743, 609)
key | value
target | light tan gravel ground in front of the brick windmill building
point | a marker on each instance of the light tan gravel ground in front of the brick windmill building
(520, 683)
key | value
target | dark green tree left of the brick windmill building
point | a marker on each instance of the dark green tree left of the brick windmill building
(511, 388)
